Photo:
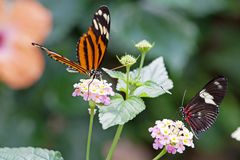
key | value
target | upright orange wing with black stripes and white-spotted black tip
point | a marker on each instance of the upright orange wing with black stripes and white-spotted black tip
(92, 45)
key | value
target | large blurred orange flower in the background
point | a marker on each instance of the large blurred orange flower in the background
(22, 22)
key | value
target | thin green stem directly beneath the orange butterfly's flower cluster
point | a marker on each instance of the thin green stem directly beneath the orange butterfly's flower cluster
(92, 108)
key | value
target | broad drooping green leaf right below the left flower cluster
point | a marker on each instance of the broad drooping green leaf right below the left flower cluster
(120, 111)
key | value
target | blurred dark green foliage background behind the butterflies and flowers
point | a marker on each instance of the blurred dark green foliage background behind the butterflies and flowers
(199, 39)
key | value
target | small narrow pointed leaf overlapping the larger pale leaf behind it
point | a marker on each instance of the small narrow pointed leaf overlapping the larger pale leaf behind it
(149, 89)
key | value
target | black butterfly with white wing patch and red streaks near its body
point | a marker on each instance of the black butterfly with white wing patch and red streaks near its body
(201, 112)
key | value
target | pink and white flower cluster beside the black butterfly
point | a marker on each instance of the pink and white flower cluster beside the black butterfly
(171, 134)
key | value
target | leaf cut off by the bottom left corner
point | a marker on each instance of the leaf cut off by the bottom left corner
(29, 153)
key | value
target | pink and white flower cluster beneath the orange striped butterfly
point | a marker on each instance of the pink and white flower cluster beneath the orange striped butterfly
(94, 90)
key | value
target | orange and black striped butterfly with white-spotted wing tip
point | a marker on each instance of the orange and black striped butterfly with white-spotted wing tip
(91, 46)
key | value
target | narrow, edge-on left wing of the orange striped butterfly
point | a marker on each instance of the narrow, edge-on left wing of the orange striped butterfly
(71, 64)
